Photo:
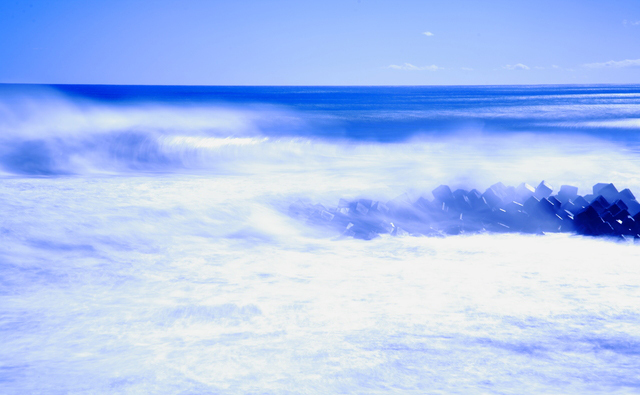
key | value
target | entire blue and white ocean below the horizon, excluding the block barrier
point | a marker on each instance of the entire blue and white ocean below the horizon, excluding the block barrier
(147, 243)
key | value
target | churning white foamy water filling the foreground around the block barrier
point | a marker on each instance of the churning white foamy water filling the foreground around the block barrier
(199, 284)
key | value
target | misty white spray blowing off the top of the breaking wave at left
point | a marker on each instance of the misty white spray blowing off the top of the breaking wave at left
(49, 114)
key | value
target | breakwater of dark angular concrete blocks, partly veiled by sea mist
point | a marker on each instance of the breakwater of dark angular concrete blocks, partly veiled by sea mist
(525, 209)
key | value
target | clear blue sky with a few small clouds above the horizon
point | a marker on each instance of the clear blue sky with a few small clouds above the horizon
(345, 42)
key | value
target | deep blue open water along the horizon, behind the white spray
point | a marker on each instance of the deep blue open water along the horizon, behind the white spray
(388, 114)
